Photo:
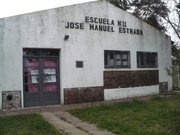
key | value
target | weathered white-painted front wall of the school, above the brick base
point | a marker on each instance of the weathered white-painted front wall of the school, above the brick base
(46, 29)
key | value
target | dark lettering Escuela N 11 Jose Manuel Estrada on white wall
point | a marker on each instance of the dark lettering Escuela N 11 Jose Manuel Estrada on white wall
(105, 25)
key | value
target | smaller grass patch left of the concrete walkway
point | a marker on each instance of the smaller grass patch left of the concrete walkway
(29, 124)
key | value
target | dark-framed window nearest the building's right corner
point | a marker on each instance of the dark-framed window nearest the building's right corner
(146, 59)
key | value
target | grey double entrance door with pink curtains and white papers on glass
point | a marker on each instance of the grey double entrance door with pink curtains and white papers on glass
(41, 77)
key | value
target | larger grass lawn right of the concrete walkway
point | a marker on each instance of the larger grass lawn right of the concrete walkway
(157, 116)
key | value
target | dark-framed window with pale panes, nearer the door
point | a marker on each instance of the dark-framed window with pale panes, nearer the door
(117, 59)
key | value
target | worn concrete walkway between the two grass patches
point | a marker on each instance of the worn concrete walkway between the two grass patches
(72, 125)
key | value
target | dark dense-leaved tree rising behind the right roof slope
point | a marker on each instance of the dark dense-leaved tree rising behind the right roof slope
(147, 10)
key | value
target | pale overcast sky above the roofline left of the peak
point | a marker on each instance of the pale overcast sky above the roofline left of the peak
(15, 7)
